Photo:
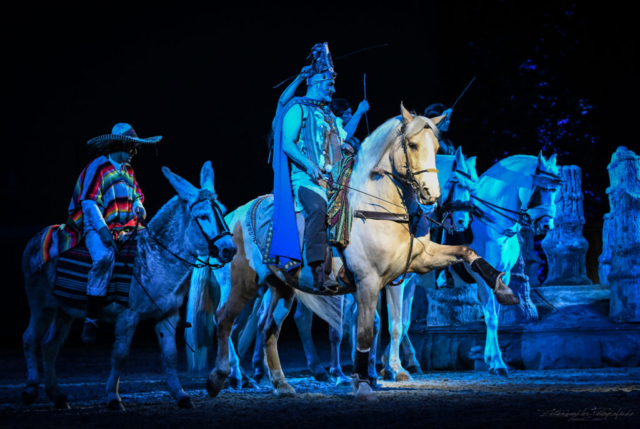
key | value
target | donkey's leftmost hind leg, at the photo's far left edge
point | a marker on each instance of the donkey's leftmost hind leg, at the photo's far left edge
(31, 339)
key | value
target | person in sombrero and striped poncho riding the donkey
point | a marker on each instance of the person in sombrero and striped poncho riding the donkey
(104, 208)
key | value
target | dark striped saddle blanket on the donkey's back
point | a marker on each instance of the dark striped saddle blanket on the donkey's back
(73, 269)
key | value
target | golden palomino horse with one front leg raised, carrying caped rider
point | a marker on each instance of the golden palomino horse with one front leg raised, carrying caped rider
(394, 169)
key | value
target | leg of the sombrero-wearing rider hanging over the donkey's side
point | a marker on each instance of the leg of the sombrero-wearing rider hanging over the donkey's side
(102, 258)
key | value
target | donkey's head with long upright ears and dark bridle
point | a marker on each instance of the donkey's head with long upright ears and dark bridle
(206, 231)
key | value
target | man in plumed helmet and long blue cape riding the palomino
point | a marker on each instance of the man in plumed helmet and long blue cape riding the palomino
(307, 143)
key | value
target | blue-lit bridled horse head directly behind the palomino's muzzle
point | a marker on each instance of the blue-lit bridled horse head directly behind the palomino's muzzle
(456, 193)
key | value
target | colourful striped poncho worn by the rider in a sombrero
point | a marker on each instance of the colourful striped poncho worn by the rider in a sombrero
(116, 193)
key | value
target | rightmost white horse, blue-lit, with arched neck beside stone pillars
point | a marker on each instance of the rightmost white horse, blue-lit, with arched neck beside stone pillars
(516, 190)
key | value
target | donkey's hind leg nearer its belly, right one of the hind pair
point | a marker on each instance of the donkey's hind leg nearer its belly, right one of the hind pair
(56, 335)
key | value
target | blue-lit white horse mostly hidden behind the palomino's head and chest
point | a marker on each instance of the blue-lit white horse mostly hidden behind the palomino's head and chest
(460, 181)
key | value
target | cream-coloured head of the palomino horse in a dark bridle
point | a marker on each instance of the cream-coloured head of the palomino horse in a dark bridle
(414, 159)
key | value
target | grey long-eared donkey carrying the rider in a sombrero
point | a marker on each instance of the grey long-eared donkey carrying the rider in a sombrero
(188, 225)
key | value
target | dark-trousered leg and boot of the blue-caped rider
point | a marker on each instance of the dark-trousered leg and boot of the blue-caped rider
(315, 236)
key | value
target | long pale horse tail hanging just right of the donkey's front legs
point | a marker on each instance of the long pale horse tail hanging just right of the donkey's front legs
(204, 296)
